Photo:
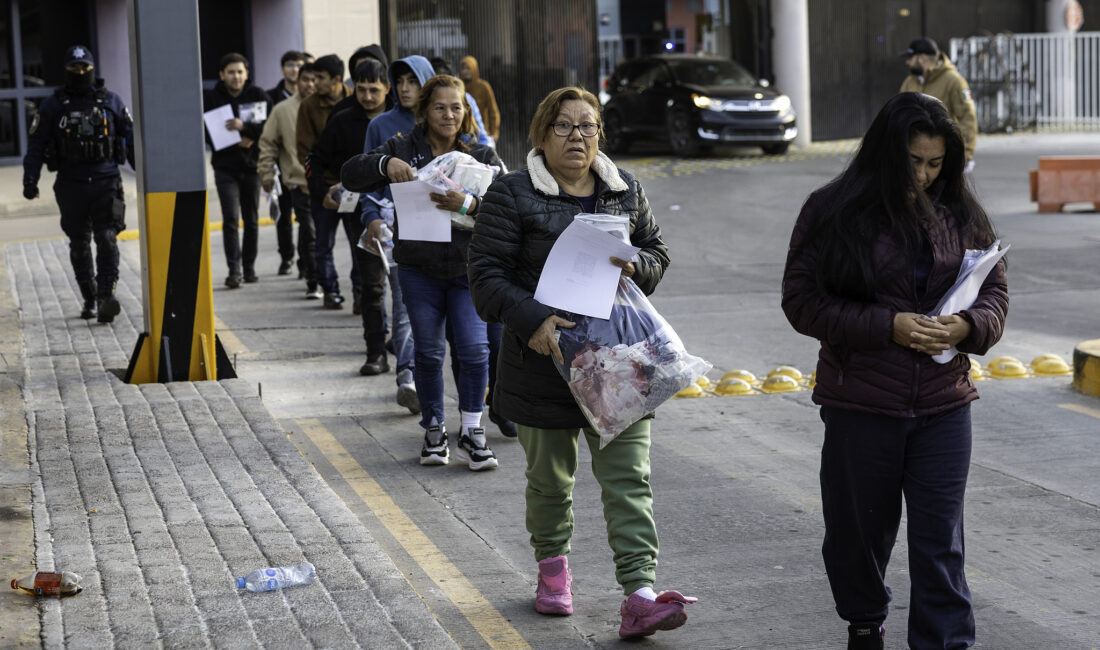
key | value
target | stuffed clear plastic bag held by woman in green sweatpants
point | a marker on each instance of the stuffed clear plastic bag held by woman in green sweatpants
(623, 368)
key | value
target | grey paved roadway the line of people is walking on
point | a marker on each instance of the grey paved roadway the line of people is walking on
(735, 478)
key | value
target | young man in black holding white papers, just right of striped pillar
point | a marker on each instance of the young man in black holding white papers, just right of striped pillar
(235, 168)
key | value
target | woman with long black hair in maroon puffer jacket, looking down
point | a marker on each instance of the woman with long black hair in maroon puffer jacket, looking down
(872, 252)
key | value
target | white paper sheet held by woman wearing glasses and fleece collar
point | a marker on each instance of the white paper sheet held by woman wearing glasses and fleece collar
(578, 276)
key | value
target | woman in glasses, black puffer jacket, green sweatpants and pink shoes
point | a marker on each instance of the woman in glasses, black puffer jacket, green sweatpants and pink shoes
(521, 219)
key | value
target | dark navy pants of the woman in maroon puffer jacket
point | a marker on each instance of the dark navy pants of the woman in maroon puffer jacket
(870, 464)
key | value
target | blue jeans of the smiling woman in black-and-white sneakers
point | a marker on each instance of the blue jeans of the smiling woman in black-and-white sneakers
(432, 304)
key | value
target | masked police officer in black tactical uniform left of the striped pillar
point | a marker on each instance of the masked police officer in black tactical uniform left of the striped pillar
(84, 133)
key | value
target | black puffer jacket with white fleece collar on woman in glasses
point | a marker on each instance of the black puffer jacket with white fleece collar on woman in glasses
(520, 222)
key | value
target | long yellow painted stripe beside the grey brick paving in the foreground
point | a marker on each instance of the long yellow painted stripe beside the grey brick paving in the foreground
(482, 615)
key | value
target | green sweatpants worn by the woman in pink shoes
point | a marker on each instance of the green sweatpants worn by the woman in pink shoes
(623, 472)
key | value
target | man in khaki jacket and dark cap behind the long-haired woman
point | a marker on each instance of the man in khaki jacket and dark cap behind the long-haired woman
(931, 73)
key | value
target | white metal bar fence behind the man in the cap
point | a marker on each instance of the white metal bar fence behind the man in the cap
(1032, 81)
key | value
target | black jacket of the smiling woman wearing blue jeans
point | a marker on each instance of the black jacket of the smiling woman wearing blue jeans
(443, 260)
